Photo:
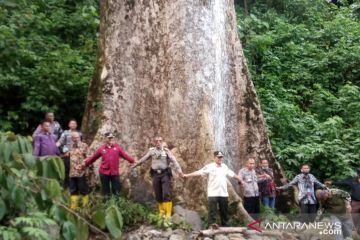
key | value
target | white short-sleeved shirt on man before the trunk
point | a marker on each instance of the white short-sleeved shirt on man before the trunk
(217, 185)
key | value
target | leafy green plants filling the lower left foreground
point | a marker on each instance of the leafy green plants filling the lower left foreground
(32, 200)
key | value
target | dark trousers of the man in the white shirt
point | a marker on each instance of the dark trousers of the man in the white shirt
(223, 206)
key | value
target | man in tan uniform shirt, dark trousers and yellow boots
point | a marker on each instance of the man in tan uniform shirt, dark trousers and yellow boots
(161, 174)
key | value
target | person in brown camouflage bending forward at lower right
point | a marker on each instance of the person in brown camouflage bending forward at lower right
(335, 203)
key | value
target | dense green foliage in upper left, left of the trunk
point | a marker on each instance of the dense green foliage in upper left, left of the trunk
(48, 51)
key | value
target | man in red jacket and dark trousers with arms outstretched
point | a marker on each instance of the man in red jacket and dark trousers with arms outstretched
(109, 168)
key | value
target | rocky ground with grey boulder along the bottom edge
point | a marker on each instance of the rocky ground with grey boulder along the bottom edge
(232, 233)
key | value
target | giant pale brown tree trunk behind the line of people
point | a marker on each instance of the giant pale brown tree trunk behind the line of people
(175, 68)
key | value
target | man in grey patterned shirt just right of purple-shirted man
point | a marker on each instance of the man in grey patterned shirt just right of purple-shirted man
(65, 143)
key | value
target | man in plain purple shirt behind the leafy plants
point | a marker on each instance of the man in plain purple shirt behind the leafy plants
(44, 142)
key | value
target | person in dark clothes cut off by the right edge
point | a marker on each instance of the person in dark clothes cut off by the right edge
(354, 184)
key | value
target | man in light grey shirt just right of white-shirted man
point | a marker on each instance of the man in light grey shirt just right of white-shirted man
(249, 181)
